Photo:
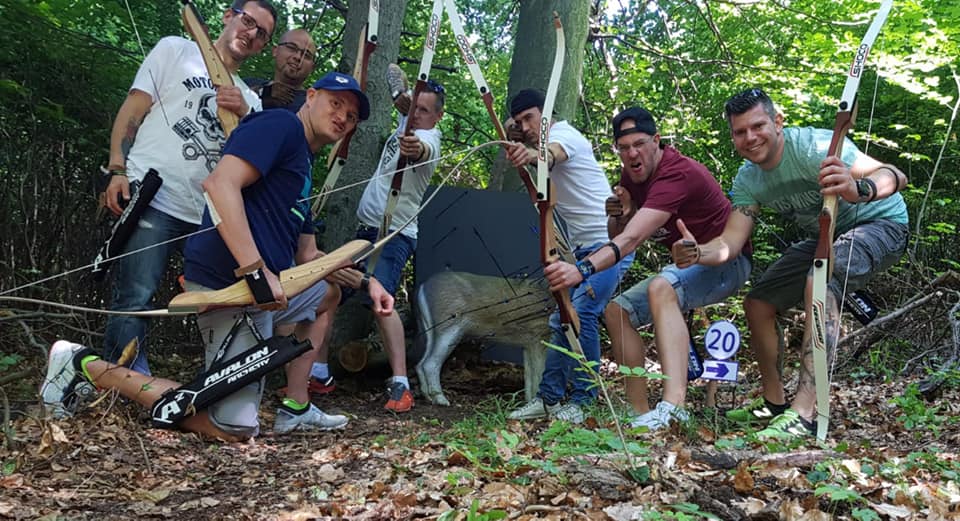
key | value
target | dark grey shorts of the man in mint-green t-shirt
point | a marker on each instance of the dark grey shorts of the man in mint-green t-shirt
(859, 253)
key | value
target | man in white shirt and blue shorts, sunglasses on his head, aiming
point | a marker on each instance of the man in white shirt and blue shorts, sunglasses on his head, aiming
(421, 149)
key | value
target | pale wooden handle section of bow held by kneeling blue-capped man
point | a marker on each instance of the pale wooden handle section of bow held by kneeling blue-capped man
(293, 281)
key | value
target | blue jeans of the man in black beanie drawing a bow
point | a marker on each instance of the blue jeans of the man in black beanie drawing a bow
(589, 299)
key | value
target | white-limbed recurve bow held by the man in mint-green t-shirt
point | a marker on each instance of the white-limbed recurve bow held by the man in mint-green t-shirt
(823, 257)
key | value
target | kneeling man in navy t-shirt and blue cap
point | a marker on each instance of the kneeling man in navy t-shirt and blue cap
(256, 199)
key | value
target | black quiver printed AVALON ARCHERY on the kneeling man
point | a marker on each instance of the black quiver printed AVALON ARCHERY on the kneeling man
(224, 378)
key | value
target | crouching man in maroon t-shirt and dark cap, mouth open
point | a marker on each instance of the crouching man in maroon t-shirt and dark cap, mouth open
(664, 196)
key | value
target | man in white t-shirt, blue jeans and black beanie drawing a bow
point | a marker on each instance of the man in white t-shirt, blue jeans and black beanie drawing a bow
(581, 189)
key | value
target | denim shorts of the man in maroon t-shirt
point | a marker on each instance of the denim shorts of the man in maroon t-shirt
(696, 286)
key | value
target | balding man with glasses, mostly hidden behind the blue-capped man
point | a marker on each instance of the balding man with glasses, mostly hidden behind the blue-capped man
(294, 59)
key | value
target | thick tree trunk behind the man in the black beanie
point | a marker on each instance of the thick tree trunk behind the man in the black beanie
(533, 61)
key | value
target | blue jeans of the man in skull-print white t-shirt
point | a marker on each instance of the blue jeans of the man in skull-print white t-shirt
(135, 280)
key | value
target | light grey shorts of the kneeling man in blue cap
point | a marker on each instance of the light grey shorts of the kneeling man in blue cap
(237, 414)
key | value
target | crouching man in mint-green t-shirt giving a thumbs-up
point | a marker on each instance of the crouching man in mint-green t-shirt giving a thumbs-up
(787, 169)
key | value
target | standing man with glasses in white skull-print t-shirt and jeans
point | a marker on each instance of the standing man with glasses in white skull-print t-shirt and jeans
(168, 122)
